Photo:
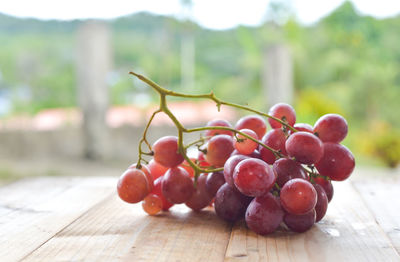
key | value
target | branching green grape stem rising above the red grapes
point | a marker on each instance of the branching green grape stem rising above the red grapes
(163, 93)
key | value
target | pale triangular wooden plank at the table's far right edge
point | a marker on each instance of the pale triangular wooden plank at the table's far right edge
(382, 198)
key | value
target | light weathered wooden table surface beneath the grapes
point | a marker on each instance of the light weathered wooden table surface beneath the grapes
(82, 219)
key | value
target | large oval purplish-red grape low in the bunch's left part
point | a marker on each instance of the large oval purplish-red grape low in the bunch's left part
(177, 186)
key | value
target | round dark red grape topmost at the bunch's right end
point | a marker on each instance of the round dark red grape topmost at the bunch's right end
(331, 128)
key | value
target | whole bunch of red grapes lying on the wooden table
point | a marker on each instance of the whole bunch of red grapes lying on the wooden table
(290, 184)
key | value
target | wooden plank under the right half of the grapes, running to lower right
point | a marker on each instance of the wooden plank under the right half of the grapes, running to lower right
(348, 233)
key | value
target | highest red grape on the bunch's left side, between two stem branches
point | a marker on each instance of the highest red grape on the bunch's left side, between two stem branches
(166, 151)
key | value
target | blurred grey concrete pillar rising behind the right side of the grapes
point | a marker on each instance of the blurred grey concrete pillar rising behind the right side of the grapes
(277, 75)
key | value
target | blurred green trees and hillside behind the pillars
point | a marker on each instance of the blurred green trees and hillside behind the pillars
(346, 63)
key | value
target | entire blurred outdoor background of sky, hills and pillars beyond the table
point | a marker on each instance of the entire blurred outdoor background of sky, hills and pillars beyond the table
(69, 107)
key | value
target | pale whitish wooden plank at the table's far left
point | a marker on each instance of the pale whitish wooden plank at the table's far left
(32, 211)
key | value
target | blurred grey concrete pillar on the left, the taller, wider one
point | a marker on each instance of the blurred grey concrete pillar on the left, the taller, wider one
(94, 59)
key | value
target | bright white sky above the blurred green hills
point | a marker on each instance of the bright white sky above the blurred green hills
(215, 14)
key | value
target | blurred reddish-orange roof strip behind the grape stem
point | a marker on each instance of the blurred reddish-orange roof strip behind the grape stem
(188, 113)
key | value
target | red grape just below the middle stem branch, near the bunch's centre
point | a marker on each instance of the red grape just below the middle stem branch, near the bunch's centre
(219, 149)
